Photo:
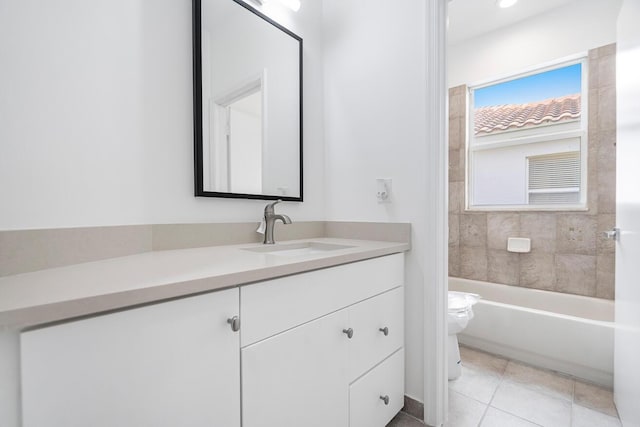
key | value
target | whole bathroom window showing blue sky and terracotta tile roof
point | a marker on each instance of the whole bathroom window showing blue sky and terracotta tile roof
(527, 143)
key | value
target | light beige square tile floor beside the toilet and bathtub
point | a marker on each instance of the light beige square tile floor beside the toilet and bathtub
(497, 392)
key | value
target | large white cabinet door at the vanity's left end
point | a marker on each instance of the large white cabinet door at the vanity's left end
(169, 364)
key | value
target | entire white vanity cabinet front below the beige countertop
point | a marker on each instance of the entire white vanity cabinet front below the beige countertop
(319, 348)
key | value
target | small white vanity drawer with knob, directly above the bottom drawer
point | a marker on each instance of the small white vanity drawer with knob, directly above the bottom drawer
(370, 320)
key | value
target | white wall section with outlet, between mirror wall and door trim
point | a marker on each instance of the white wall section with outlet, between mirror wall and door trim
(374, 115)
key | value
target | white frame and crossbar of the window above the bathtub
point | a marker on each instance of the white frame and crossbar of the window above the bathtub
(569, 129)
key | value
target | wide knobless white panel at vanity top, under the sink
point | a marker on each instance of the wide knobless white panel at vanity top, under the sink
(274, 306)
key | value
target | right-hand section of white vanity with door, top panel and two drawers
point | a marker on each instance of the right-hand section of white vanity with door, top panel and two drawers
(324, 348)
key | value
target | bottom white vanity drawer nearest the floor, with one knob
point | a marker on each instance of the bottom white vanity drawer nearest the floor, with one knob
(367, 407)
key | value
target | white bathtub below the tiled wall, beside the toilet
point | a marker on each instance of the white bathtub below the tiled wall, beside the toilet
(566, 333)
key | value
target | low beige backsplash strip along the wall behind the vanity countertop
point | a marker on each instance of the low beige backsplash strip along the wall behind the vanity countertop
(24, 251)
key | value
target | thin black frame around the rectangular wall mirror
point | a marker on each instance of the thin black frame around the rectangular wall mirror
(197, 107)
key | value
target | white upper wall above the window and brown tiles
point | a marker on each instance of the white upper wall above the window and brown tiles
(565, 31)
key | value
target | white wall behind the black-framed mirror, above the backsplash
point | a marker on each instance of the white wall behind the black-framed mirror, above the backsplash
(96, 115)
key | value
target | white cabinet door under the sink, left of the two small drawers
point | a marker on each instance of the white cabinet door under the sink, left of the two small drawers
(298, 378)
